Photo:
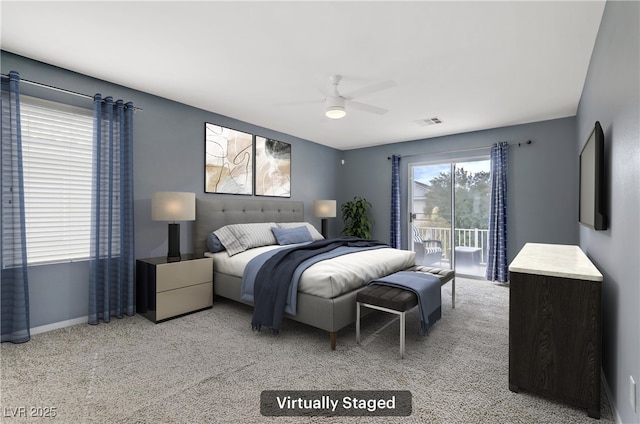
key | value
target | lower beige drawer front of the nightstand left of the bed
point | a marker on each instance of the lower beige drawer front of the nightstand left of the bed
(180, 301)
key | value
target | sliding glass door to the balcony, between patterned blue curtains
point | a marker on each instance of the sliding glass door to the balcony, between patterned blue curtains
(449, 214)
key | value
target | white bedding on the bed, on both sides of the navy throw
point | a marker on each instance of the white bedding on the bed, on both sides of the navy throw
(331, 277)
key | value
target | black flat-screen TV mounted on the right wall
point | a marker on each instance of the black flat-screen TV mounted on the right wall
(592, 187)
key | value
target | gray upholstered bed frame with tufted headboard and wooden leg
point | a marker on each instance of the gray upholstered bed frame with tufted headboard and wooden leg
(316, 309)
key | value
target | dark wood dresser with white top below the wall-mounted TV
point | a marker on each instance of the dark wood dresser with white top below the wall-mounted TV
(555, 325)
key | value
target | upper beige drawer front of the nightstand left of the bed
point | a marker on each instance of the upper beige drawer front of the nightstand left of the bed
(175, 275)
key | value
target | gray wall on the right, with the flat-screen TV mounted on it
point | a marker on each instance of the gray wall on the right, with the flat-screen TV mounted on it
(611, 95)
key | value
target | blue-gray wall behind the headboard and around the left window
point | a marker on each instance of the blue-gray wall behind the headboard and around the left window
(168, 156)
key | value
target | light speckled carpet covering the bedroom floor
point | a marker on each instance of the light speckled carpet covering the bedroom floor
(209, 367)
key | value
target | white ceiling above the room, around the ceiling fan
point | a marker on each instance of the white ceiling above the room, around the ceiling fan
(474, 65)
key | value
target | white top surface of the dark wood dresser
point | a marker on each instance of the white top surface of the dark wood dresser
(556, 260)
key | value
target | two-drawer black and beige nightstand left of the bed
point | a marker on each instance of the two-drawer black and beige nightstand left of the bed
(167, 290)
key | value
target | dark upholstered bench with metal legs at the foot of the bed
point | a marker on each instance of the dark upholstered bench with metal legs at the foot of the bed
(398, 301)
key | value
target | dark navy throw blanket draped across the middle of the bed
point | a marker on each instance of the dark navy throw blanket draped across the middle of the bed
(274, 278)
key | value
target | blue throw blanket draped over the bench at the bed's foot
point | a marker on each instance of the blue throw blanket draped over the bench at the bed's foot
(426, 287)
